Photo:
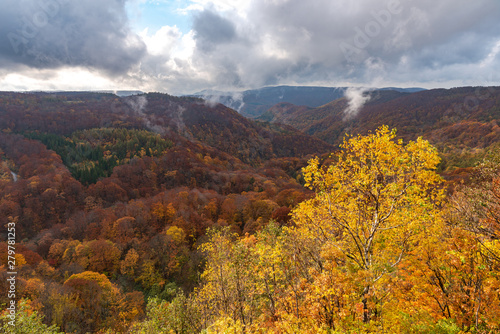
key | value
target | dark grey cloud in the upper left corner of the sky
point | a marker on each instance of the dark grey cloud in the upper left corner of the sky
(56, 33)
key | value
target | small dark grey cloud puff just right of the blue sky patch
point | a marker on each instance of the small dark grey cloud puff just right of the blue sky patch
(211, 29)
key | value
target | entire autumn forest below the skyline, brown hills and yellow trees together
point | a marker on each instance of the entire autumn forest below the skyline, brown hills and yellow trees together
(160, 214)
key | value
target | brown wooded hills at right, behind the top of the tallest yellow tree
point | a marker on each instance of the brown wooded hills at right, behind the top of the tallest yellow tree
(461, 122)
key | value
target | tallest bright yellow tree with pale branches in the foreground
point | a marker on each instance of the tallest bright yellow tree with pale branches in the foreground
(371, 205)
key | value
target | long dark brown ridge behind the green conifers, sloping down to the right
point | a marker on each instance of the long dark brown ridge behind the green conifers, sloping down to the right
(179, 118)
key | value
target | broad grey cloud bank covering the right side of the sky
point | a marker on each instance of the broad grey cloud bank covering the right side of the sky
(296, 41)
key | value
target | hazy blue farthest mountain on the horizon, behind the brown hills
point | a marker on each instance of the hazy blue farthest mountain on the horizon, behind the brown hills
(253, 103)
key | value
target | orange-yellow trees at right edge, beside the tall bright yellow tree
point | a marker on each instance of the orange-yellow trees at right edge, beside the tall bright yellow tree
(465, 273)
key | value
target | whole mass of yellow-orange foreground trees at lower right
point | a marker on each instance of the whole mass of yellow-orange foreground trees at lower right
(369, 253)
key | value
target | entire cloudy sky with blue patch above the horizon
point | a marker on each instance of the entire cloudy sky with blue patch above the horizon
(185, 46)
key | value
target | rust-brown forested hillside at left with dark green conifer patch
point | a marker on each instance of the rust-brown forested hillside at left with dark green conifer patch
(119, 192)
